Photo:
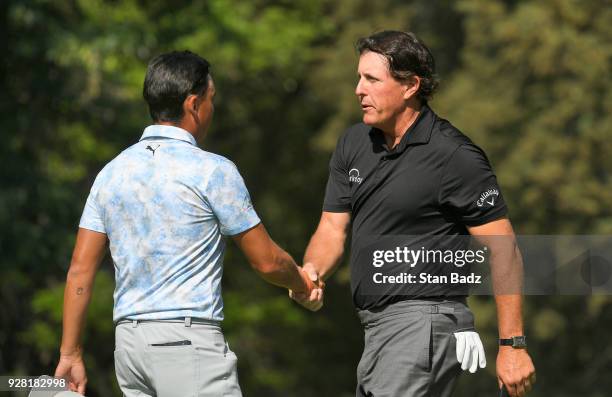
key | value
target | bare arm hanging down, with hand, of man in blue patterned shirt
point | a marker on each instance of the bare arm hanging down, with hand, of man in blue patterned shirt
(88, 253)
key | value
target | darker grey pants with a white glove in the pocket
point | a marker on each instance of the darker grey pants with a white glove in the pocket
(410, 349)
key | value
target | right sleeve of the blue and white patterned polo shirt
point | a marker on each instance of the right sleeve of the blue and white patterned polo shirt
(230, 200)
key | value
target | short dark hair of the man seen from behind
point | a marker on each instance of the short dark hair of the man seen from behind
(170, 78)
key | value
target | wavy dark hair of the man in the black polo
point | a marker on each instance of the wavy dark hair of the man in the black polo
(407, 56)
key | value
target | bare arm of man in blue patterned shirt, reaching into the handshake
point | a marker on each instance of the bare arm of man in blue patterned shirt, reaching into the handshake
(270, 261)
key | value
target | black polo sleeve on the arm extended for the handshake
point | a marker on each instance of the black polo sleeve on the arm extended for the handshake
(338, 191)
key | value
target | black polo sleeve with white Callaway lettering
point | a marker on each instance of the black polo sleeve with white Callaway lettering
(469, 188)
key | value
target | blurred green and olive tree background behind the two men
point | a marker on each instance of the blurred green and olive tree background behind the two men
(529, 81)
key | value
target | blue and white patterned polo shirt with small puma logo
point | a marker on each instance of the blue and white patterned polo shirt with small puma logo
(165, 205)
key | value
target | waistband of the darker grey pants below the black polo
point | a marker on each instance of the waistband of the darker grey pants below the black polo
(433, 306)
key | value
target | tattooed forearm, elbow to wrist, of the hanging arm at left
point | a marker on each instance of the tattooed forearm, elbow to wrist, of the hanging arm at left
(76, 299)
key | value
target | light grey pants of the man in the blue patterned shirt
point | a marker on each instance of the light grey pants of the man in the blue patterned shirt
(181, 358)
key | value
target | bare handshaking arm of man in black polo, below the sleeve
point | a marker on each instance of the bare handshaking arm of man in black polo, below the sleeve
(326, 246)
